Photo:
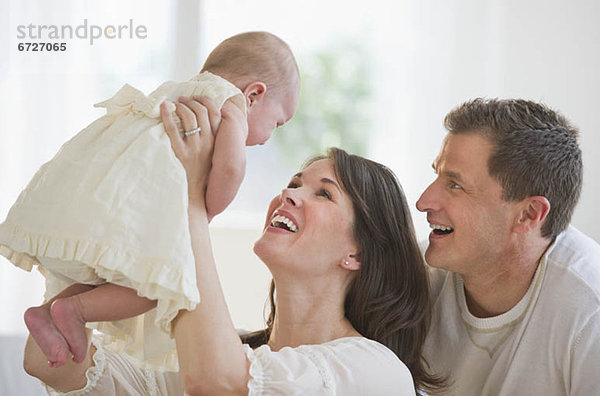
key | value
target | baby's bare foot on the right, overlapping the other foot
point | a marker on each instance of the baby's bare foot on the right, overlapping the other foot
(69, 321)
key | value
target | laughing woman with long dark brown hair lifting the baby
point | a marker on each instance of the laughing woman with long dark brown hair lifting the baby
(349, 298)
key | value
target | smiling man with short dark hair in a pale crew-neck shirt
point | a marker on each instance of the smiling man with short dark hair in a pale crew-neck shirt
(516, 290)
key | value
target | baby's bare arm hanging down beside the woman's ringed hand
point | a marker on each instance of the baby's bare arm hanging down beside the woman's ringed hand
(228, 160)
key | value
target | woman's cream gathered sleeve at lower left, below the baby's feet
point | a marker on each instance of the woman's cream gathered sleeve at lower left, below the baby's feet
(113, 375)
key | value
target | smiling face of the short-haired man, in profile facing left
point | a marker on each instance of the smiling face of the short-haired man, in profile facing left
(471, 223)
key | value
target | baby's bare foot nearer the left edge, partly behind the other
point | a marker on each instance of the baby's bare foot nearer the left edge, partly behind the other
(47, 336)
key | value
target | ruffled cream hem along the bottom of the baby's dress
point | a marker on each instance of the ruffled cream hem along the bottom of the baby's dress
(108, 263)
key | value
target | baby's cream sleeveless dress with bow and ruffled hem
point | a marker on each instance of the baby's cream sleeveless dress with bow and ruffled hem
(111, 206)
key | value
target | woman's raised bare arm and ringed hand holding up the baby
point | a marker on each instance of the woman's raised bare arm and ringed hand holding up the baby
(211, 356)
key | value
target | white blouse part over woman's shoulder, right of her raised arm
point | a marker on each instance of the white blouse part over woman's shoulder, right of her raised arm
(355, 366)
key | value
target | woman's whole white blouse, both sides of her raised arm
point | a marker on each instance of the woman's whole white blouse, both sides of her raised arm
(346, 366)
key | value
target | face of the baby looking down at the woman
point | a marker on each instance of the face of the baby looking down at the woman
(268, 114)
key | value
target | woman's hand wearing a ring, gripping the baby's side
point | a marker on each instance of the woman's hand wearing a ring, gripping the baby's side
(193, 151)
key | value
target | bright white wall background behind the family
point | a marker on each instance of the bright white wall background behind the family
(427, 57)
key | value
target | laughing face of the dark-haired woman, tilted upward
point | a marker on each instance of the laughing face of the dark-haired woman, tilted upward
(309, 225)
